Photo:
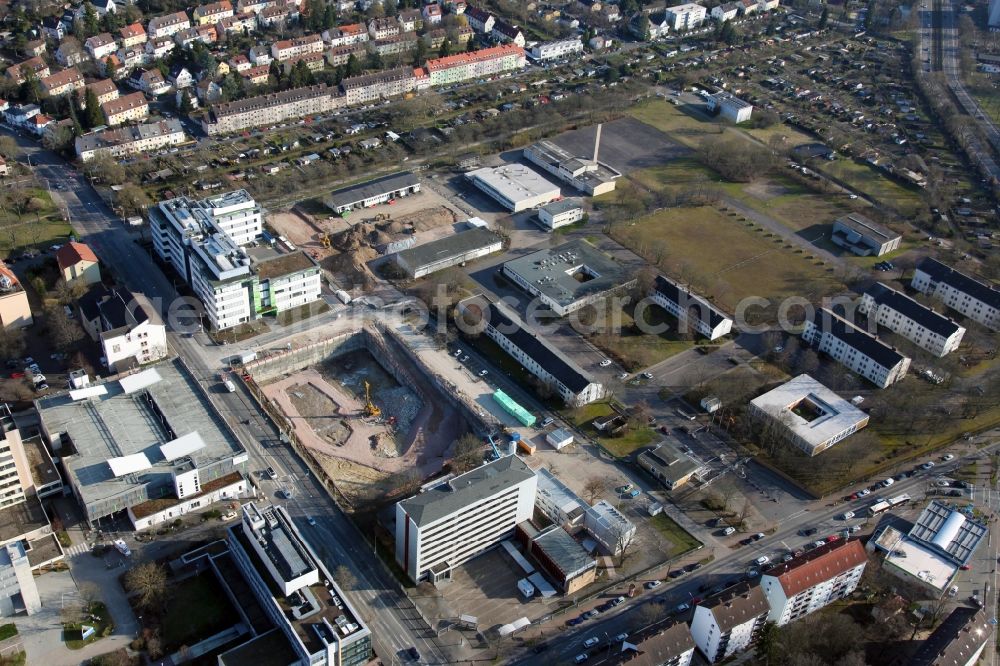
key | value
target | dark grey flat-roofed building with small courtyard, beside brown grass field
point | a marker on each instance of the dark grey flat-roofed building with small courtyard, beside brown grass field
(568, 277)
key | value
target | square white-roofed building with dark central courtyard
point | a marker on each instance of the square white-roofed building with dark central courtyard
(811, 416)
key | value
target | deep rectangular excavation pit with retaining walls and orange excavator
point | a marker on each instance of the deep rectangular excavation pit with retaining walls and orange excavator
(364, 408)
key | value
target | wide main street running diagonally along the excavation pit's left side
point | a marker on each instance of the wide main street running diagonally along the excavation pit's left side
(394, 621)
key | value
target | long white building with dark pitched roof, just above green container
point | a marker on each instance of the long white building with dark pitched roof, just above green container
(542, 359)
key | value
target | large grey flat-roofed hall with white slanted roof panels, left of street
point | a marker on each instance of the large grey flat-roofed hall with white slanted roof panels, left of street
(121, 441)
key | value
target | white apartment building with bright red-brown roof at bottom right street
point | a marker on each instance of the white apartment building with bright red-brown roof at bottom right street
(811, 581)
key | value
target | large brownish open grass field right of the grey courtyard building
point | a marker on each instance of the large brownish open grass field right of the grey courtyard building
(726, 260)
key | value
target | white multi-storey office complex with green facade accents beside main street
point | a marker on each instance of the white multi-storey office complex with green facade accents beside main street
(202, 241)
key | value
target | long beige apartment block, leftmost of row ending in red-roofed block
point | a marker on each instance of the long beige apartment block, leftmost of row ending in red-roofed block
(271, 109)
